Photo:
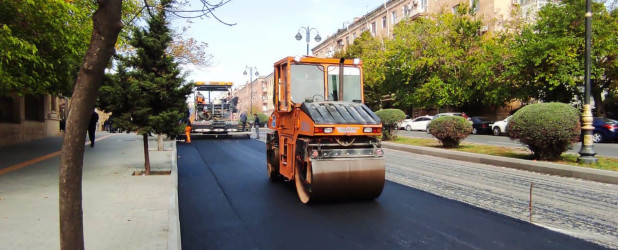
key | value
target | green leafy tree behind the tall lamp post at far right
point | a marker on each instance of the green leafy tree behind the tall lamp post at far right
(548, 64)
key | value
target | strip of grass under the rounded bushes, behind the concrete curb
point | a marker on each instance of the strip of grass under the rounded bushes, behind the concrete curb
(605, 163)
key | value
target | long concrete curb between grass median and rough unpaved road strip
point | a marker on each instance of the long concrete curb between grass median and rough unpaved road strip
(591, 174)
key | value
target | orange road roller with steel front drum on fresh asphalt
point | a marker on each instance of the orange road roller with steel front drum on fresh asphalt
(324, 138)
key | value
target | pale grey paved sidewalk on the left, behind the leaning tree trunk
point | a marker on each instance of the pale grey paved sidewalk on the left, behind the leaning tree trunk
(121, 211)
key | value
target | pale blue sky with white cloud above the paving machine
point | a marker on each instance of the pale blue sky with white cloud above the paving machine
(264, 33)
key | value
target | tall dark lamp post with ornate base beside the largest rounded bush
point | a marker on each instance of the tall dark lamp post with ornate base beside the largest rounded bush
(586, 153)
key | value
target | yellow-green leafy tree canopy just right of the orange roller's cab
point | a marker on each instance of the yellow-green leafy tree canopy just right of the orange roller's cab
(445, 60)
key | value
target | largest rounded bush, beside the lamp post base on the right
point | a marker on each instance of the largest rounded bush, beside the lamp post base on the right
(548, 129)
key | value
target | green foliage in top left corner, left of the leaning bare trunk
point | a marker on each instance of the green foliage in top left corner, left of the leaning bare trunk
(43, 43)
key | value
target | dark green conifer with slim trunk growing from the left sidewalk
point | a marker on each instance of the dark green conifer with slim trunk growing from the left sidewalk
(150, 97)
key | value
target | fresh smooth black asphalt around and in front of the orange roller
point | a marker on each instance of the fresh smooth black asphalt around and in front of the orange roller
(227, 202)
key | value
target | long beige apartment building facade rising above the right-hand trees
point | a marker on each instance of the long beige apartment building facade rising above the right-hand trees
(383, 18)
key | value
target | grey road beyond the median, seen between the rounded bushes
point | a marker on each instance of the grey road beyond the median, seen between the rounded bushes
(602, 149)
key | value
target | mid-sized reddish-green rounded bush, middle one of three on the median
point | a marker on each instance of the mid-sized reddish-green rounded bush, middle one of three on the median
(450, 130)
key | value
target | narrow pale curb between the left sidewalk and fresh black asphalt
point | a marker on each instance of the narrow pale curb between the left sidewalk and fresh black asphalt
(173, 240)
